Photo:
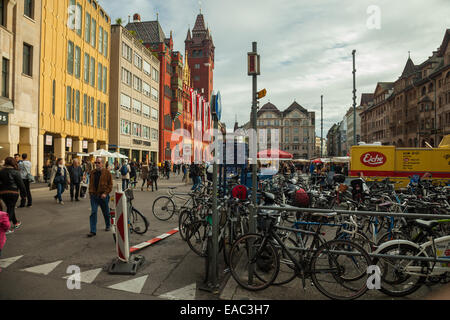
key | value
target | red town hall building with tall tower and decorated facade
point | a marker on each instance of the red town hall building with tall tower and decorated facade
(177, 97)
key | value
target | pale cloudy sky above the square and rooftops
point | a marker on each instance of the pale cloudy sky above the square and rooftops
(305, 46)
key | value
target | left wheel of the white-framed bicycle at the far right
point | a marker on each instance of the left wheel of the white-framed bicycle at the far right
(395, 280)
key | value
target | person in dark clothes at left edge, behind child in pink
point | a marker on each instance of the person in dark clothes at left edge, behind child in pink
(10, 185)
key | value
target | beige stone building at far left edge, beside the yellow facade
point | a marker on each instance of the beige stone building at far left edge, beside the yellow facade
(19, 100)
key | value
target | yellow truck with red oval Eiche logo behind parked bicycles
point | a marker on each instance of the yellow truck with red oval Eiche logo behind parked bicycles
(379, 162)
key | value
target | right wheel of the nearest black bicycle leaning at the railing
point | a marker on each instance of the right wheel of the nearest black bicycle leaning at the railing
(338, 270)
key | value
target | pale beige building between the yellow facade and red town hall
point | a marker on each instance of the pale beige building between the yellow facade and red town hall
(134, 99)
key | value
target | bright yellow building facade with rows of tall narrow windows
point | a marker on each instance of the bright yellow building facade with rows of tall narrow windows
(74, 79)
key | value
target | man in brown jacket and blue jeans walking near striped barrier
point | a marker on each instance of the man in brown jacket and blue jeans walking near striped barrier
(100, 187)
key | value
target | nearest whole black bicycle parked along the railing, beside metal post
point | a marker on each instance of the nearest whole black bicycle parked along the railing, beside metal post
(255, 261)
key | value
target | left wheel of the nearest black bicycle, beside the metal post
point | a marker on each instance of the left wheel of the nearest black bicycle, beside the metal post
(264, 259)
